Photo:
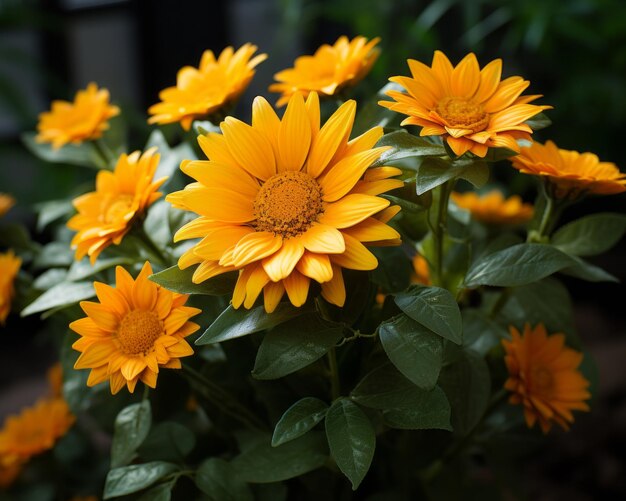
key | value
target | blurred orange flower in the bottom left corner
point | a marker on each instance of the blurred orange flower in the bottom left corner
(34, 430)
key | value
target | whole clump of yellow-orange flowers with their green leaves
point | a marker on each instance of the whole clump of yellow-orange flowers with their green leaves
(347, 300)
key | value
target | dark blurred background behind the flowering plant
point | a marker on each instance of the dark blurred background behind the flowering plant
(573, 52)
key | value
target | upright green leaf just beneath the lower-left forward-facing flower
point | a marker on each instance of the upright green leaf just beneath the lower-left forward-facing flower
(131, 428)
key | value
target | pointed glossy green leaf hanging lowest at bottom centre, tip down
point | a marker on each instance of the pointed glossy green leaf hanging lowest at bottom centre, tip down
(351, 438)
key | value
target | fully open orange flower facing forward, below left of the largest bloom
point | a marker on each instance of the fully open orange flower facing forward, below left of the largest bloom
(137, 328)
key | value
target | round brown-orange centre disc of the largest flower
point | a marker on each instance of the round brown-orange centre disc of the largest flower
(287, 204)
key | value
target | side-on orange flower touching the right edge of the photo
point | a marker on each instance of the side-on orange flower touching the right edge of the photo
(570, 173)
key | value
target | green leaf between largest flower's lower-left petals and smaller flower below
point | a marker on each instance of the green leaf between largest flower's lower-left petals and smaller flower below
(178, 280)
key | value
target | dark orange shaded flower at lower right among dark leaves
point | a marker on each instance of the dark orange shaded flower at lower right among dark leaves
(544, 377)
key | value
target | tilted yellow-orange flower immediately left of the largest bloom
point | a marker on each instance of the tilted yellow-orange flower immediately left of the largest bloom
(107, 214)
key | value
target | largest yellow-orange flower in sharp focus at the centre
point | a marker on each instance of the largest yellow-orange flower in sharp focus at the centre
(285, 201)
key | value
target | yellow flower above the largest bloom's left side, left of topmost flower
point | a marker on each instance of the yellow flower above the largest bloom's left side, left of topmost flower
(204, 91)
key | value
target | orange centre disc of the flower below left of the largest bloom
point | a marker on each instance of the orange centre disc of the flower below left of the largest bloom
(138, 331)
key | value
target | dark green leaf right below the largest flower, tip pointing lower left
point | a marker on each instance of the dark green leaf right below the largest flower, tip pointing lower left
(293, 345)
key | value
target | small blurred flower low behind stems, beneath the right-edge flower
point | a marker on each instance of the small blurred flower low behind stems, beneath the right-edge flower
(493, 208)
